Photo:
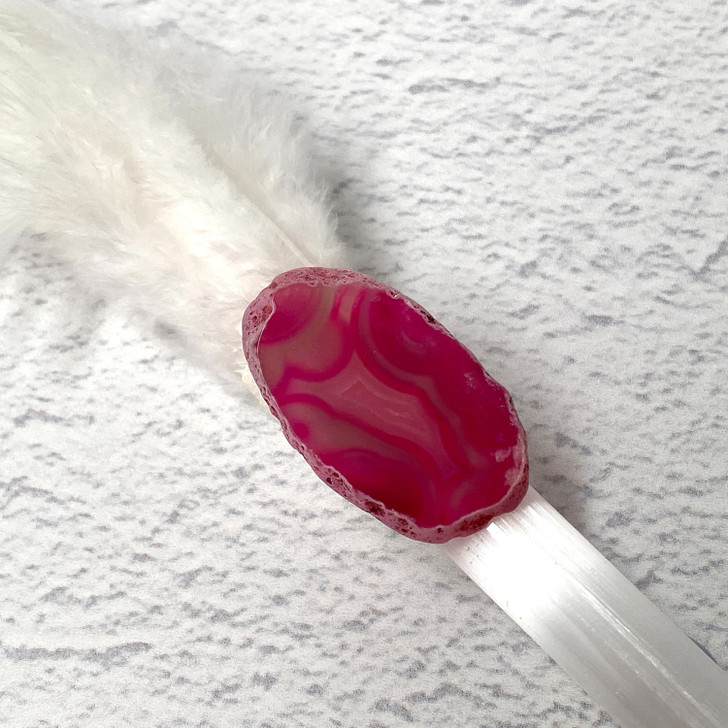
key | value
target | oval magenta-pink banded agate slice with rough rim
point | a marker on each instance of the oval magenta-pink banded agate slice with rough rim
(385, 405)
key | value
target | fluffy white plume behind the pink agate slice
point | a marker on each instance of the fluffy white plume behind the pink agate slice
(183, 189)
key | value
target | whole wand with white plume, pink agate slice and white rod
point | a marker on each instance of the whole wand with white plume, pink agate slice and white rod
(128, 174)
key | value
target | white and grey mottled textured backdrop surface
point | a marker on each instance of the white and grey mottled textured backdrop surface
(550, 180)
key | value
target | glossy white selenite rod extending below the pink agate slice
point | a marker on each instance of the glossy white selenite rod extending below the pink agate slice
(626, 654)
